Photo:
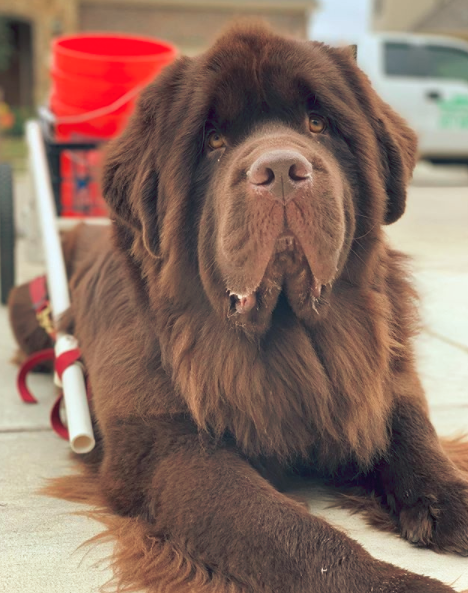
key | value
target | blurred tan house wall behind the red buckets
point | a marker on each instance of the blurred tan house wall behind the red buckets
(191, 24)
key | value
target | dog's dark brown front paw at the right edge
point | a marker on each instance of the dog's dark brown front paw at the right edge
(439, 518)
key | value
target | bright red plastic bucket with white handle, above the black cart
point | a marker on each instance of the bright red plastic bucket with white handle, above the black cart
(95, 71)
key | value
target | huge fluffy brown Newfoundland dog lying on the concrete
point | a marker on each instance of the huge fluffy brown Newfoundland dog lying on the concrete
(245, 320)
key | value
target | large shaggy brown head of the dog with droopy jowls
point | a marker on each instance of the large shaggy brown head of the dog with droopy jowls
(250, 172)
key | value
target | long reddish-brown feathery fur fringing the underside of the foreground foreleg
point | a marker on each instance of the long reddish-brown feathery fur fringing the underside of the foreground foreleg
(141, 560)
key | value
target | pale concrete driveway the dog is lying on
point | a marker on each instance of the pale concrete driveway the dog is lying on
(40, 536)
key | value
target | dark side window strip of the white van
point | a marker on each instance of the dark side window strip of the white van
(424, 61)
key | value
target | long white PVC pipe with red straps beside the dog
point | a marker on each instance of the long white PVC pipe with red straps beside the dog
(74, 388)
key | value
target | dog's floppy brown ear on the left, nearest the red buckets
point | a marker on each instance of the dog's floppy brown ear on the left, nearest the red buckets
(130, 181)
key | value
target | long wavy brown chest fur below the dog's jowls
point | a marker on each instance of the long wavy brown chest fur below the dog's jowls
(296, 390)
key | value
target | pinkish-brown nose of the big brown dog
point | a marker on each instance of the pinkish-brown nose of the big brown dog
(281, 173)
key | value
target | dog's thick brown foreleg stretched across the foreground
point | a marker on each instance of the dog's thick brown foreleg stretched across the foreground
(208, 502)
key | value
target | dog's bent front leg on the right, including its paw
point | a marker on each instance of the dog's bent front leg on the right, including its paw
(427, 493)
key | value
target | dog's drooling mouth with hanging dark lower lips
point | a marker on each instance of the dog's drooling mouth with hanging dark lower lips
(289, 273)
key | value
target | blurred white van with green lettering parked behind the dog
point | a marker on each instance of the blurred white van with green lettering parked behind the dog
(425, 79)
